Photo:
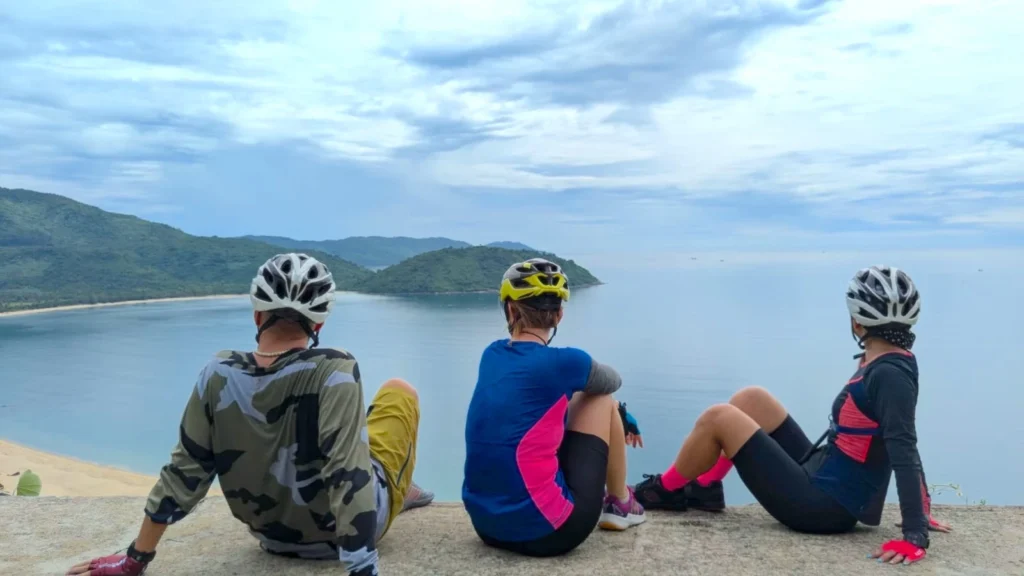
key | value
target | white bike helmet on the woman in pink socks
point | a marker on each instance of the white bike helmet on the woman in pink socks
(880, 296)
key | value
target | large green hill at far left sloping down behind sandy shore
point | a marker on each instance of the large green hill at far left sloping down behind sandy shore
(56, 252)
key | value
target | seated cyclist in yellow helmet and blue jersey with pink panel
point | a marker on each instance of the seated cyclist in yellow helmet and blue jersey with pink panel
(544, 436)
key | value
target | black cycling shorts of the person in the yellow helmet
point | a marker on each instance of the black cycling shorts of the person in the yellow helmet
(584, 462)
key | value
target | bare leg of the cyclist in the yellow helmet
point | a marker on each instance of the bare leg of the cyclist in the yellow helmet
(599, 416)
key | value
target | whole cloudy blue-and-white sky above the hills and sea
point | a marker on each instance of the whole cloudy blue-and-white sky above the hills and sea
(576, 126)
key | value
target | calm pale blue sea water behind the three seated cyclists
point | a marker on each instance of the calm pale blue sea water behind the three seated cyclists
(109, 385)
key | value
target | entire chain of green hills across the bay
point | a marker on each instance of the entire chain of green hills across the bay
(56, 252)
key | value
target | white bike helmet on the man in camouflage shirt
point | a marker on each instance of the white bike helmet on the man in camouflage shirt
(293, 286)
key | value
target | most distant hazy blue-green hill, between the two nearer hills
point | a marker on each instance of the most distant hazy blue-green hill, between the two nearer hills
(370, 252)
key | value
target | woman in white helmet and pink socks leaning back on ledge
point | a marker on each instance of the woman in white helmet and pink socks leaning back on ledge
(829, 489)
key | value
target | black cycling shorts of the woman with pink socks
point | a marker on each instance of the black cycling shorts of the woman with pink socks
(770, 467)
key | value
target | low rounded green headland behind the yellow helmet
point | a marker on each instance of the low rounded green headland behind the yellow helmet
(478, 269)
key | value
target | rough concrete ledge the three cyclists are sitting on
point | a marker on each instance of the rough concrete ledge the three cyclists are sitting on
(47, 536)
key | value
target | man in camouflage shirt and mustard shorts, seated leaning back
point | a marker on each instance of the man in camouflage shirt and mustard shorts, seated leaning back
(301, 462)
